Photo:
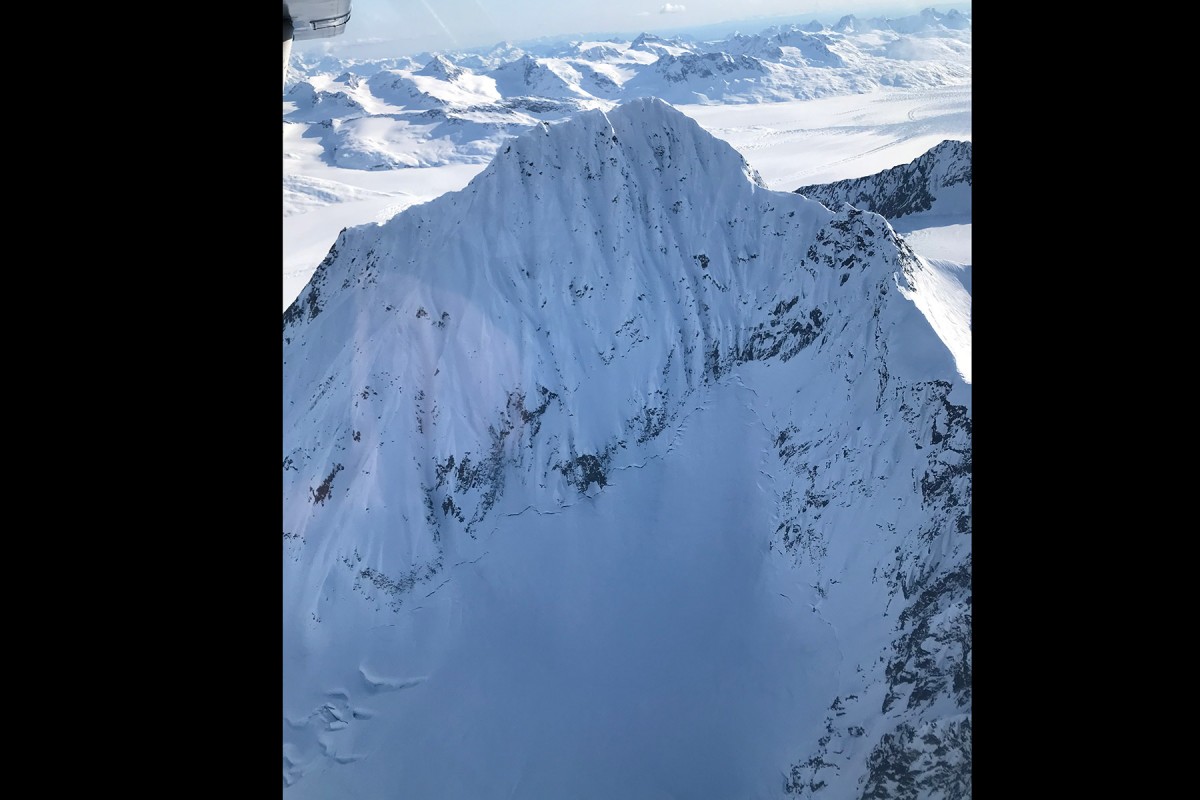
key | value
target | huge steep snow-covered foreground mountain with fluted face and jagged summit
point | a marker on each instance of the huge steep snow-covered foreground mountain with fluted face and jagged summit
(616, 474)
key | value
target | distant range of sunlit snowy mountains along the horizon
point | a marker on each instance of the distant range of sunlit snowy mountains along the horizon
(461, 107)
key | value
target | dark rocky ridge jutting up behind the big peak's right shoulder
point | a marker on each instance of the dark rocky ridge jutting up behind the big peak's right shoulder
(938, 182)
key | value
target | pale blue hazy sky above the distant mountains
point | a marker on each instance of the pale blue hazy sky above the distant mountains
(386, 28)
